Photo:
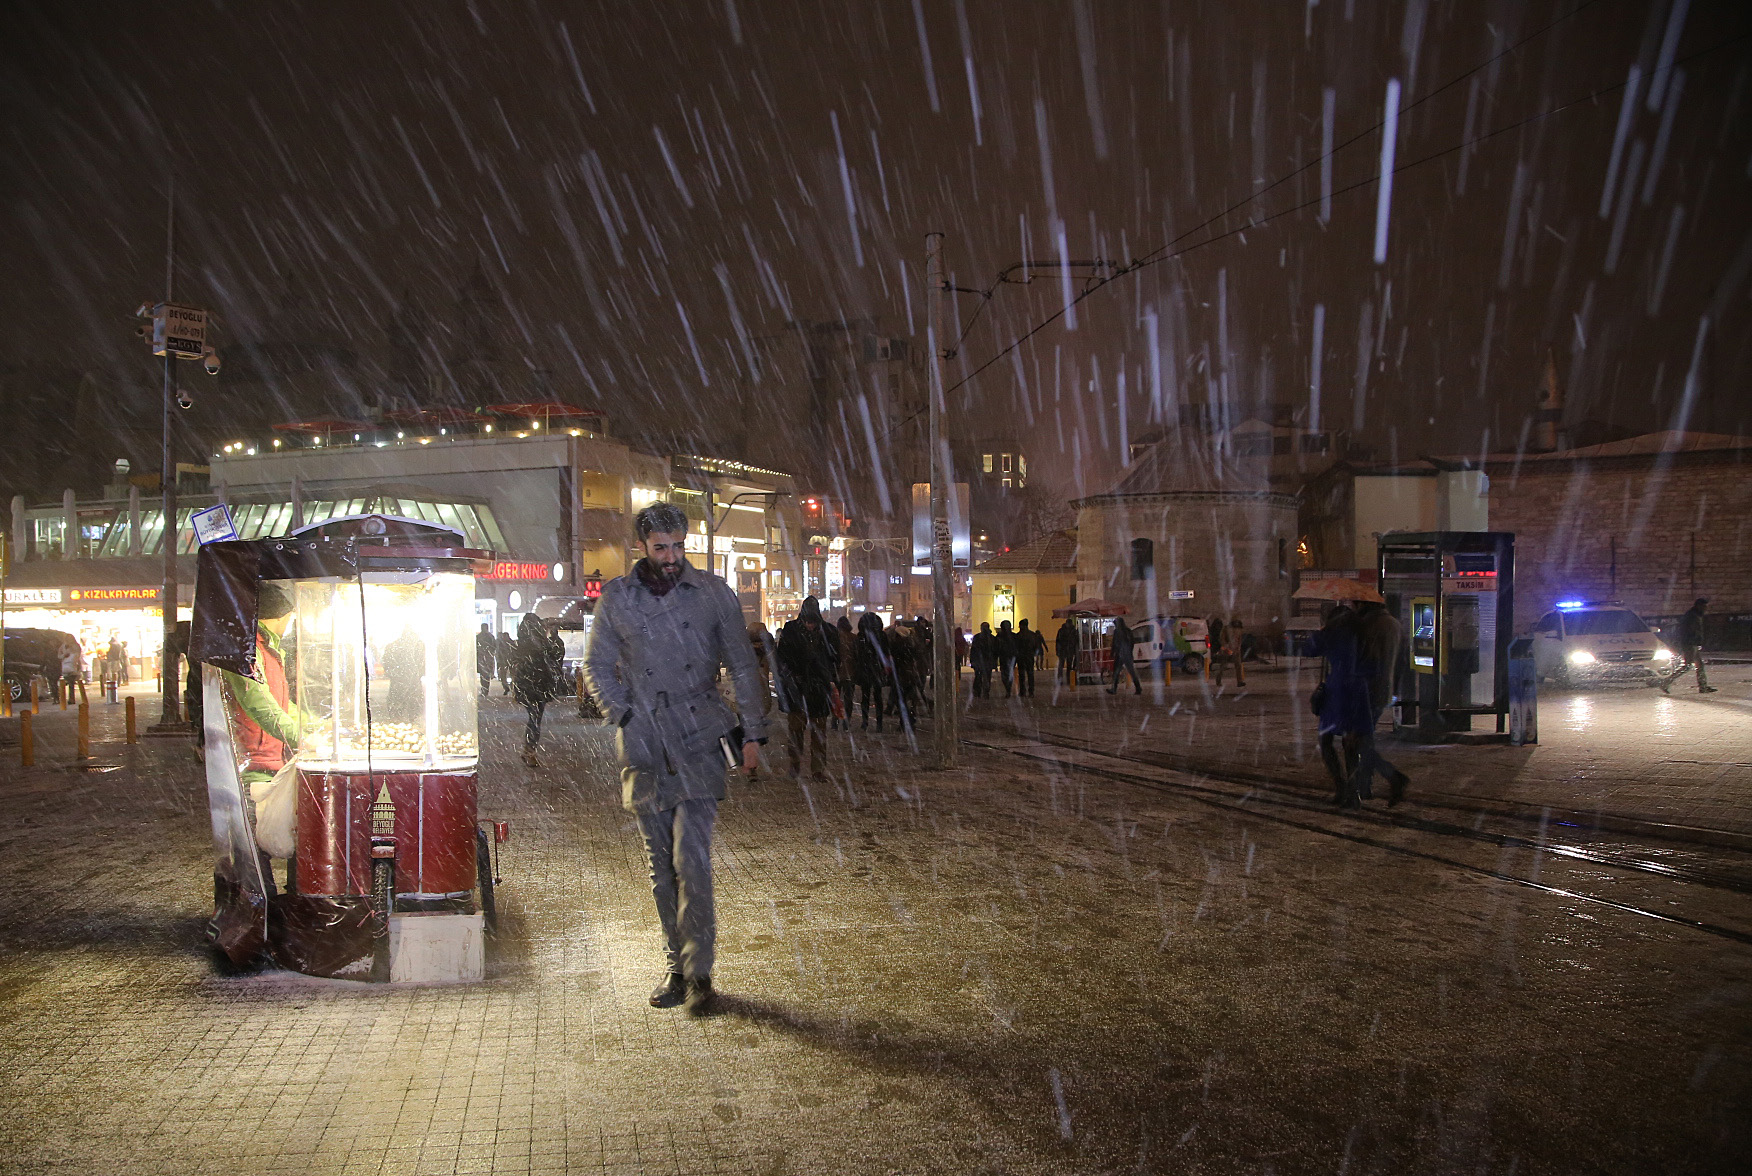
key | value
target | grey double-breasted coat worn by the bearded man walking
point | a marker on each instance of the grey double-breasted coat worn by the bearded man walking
(653, 667)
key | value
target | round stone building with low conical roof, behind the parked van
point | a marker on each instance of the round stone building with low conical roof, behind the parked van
(1190, 530)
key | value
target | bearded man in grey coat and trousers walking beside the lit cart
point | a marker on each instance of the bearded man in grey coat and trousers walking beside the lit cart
(656, 648)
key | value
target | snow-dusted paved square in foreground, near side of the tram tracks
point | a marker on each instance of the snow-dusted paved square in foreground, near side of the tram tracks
(1008, 968)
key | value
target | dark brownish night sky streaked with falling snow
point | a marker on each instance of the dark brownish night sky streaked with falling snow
(654, 190)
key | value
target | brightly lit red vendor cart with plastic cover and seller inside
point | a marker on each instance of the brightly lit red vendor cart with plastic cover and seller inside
(339, 707)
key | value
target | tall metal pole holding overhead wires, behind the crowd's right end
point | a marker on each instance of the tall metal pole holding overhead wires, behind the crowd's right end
(943, 735)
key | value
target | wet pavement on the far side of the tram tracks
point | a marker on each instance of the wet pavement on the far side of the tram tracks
(1625, 754)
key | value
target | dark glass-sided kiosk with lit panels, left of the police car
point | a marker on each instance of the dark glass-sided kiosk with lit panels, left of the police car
(1453, 593)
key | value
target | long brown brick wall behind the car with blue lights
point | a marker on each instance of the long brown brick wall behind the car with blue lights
(1576, 521)
